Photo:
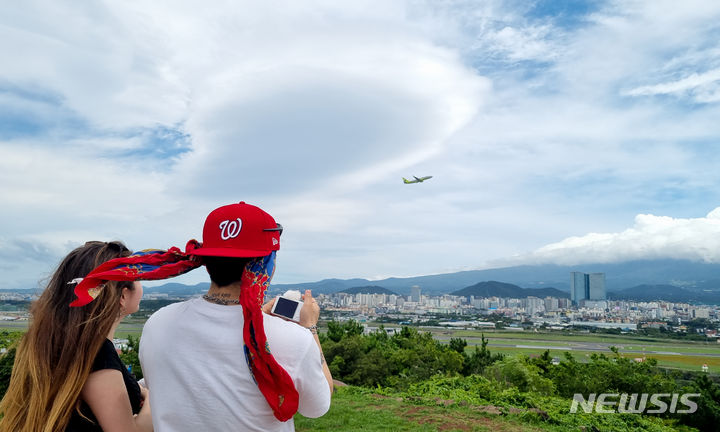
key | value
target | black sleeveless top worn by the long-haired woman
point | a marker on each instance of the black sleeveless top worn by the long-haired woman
(107, 358)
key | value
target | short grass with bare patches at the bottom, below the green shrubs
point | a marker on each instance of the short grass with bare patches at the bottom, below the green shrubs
(351, 411)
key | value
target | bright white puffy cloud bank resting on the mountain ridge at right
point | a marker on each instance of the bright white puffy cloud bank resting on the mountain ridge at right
(651, 237)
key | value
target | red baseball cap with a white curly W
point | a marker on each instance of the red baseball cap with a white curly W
(239, 230)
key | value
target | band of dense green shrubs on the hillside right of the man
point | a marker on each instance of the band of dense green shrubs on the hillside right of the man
(412, 366)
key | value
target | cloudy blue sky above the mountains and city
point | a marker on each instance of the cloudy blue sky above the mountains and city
(556, 131)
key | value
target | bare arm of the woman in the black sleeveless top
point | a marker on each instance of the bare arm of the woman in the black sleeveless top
(106, 395)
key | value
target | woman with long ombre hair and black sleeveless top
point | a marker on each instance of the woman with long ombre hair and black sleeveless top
(67, 375)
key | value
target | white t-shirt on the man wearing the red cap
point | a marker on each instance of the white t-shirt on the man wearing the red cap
(194, 365)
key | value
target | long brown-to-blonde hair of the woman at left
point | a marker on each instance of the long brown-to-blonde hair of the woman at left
(55, 356)
